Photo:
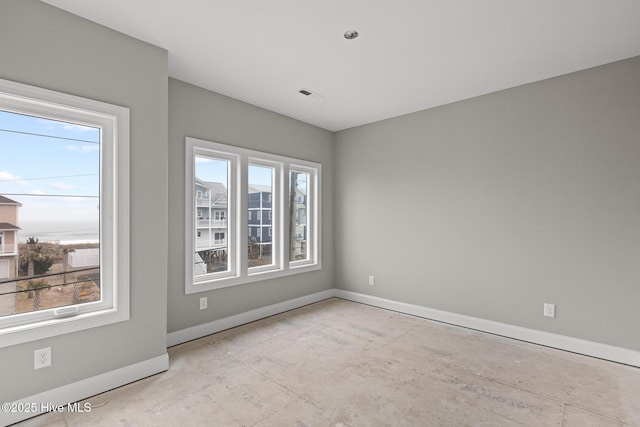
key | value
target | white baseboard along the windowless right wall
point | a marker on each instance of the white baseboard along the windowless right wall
(575, 345)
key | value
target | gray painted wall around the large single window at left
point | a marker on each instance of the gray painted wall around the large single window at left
(44, 46)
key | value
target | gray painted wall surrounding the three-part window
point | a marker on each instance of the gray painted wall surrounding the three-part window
(207, 115)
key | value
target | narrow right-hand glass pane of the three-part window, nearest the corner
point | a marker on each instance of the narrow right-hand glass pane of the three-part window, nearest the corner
(298, 215)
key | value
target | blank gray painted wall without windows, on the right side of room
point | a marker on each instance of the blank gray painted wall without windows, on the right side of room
(492, 206)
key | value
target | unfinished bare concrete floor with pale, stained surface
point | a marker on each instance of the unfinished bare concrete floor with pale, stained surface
(338, 363)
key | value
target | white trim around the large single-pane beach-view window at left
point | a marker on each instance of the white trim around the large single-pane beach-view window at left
(114, 213)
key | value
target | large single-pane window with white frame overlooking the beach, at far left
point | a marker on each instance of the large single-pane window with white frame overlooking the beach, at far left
(63, 213)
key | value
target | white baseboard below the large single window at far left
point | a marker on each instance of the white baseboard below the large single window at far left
(85, 388)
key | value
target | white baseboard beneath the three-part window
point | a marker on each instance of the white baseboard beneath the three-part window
(199, 331)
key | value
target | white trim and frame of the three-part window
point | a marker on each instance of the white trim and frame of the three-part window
(237, 217)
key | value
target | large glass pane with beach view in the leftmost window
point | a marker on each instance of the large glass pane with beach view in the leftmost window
(49, 213)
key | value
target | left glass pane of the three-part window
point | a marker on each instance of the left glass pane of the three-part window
(211, 207)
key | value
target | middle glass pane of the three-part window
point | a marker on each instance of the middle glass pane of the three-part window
(260, 245)
